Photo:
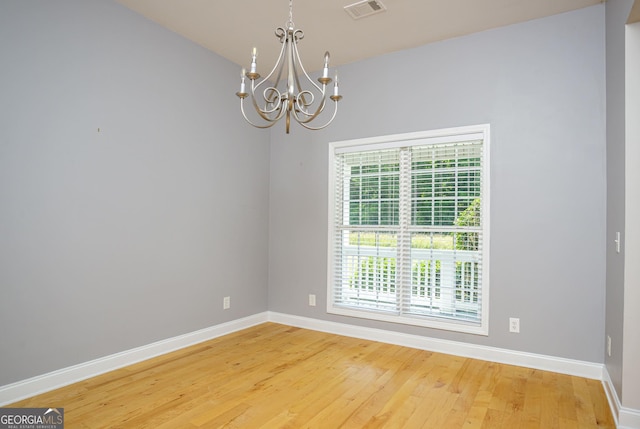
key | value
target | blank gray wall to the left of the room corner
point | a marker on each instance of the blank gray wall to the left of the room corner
(116, 239)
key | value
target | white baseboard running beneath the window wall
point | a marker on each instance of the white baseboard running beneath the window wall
(492, 354)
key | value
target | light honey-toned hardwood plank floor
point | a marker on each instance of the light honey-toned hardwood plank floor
(276, 376)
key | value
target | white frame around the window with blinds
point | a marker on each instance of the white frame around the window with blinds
(432, 137)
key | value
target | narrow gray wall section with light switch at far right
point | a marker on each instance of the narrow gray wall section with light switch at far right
(617, 12)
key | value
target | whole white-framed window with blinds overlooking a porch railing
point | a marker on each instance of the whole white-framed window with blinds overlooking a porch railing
(409, 229)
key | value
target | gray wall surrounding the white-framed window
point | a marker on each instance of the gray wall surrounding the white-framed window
(541, 86)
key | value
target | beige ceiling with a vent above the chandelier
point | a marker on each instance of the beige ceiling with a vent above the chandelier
(232, 27)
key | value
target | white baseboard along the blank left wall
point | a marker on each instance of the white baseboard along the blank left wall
(43, 383)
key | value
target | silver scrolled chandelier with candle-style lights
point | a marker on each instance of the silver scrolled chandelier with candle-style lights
(286, 98)
